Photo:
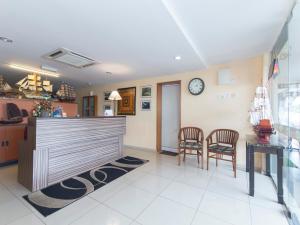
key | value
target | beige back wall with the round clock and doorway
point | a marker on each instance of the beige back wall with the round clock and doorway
(207, 111)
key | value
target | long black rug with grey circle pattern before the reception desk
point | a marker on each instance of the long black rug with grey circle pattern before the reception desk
(57, 196)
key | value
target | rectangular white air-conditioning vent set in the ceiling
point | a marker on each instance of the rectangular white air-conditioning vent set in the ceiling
(70, 58)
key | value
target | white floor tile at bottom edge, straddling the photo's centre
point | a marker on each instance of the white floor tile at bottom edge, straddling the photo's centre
(163, 211)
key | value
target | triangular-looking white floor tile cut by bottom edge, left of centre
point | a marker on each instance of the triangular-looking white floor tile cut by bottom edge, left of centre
(104, 216)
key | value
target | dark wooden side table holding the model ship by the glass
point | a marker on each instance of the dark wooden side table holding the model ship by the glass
(274, 147)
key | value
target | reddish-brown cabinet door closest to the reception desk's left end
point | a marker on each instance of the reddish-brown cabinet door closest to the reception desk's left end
(14, 136)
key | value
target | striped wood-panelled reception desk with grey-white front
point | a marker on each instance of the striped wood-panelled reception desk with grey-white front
(60, 148)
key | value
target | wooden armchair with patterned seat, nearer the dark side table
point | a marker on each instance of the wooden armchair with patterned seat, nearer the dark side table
(220, 143)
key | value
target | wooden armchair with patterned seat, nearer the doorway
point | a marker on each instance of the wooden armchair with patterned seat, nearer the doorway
(190, 138)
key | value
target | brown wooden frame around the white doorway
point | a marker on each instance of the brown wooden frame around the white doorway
(159, 110)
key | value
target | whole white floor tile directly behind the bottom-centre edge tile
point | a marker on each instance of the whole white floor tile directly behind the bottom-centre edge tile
(184, 194)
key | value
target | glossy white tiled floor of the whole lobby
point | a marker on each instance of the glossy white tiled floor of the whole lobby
(158, 193)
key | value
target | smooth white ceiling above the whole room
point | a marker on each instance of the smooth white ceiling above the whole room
(137, 38)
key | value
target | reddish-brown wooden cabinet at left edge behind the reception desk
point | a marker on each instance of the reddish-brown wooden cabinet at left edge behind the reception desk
(10, 139)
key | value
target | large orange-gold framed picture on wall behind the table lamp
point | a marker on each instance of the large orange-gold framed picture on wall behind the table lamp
(126, 106)
